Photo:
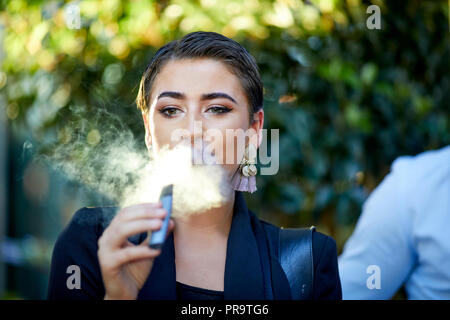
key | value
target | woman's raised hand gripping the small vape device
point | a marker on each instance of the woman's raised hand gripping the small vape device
(125, 266)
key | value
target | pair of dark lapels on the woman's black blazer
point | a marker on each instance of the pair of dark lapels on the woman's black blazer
(247, 268)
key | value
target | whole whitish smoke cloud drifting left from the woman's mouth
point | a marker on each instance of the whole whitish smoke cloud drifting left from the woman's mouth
(117, 168)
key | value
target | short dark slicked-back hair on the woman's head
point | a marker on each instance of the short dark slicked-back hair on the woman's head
(202, 44)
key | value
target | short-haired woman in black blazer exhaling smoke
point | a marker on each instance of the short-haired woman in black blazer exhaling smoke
(224, 253)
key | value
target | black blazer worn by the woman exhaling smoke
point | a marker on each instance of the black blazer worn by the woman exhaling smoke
(252, 270)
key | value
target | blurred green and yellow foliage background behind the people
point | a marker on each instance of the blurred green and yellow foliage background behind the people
(348, 100)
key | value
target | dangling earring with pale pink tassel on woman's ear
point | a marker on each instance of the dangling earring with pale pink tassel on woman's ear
(244, 178)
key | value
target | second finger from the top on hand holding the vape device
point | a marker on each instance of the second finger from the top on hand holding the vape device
(130, 228)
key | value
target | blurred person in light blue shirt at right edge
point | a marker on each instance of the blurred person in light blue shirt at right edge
(402, 237)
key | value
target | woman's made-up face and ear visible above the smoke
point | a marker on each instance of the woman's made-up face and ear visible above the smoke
(200, 98)
